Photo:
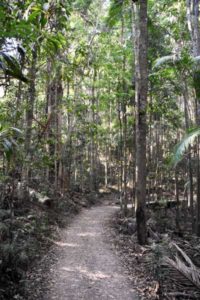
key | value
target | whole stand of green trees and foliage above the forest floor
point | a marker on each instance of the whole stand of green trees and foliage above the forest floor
(99, 95)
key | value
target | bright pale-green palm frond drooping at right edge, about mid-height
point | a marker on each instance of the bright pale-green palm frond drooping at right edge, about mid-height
(183, 146)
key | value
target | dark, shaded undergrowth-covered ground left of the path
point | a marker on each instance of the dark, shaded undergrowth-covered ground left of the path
(30, 232)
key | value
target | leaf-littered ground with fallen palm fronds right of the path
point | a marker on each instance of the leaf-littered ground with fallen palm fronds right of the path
(167, 267)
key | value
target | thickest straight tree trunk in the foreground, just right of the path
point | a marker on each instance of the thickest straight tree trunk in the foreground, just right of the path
(141, 104)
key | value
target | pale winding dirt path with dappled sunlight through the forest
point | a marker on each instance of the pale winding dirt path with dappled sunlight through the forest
(86, 266)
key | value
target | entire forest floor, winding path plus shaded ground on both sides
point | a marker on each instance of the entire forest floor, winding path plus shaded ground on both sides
(53, 253)
